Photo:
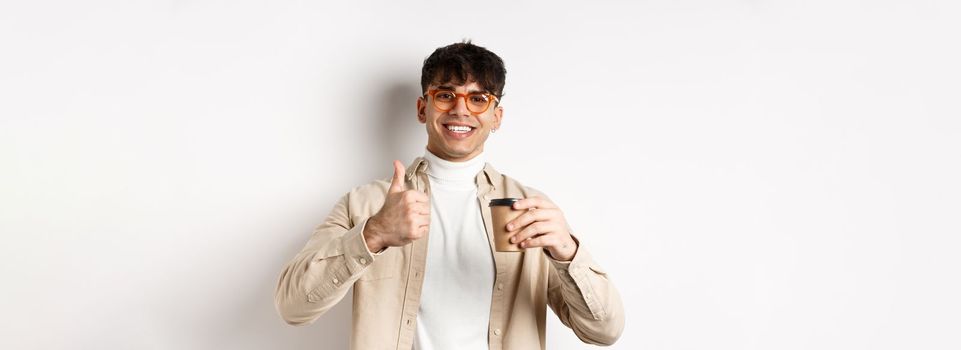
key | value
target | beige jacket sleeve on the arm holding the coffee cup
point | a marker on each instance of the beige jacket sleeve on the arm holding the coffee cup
(584, 299)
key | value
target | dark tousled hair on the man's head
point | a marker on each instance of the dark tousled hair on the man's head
(464, 62)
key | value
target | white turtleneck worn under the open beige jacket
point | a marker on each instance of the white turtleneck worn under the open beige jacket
(459, 276)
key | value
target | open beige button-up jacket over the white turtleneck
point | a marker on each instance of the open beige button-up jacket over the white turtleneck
(387, 286)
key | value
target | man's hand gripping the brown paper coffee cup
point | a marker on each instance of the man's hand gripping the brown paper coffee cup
(543, 226)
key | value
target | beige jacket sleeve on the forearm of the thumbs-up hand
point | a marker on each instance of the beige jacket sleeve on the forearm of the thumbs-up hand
(321, 274)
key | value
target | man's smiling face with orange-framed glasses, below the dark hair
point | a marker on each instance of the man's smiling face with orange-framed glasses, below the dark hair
(456, 145)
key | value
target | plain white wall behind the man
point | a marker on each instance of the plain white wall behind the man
(753, 174)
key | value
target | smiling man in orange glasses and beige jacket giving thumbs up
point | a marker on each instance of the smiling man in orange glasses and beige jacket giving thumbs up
(418, 249)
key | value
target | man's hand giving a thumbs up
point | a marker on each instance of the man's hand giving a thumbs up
(404, 218)
